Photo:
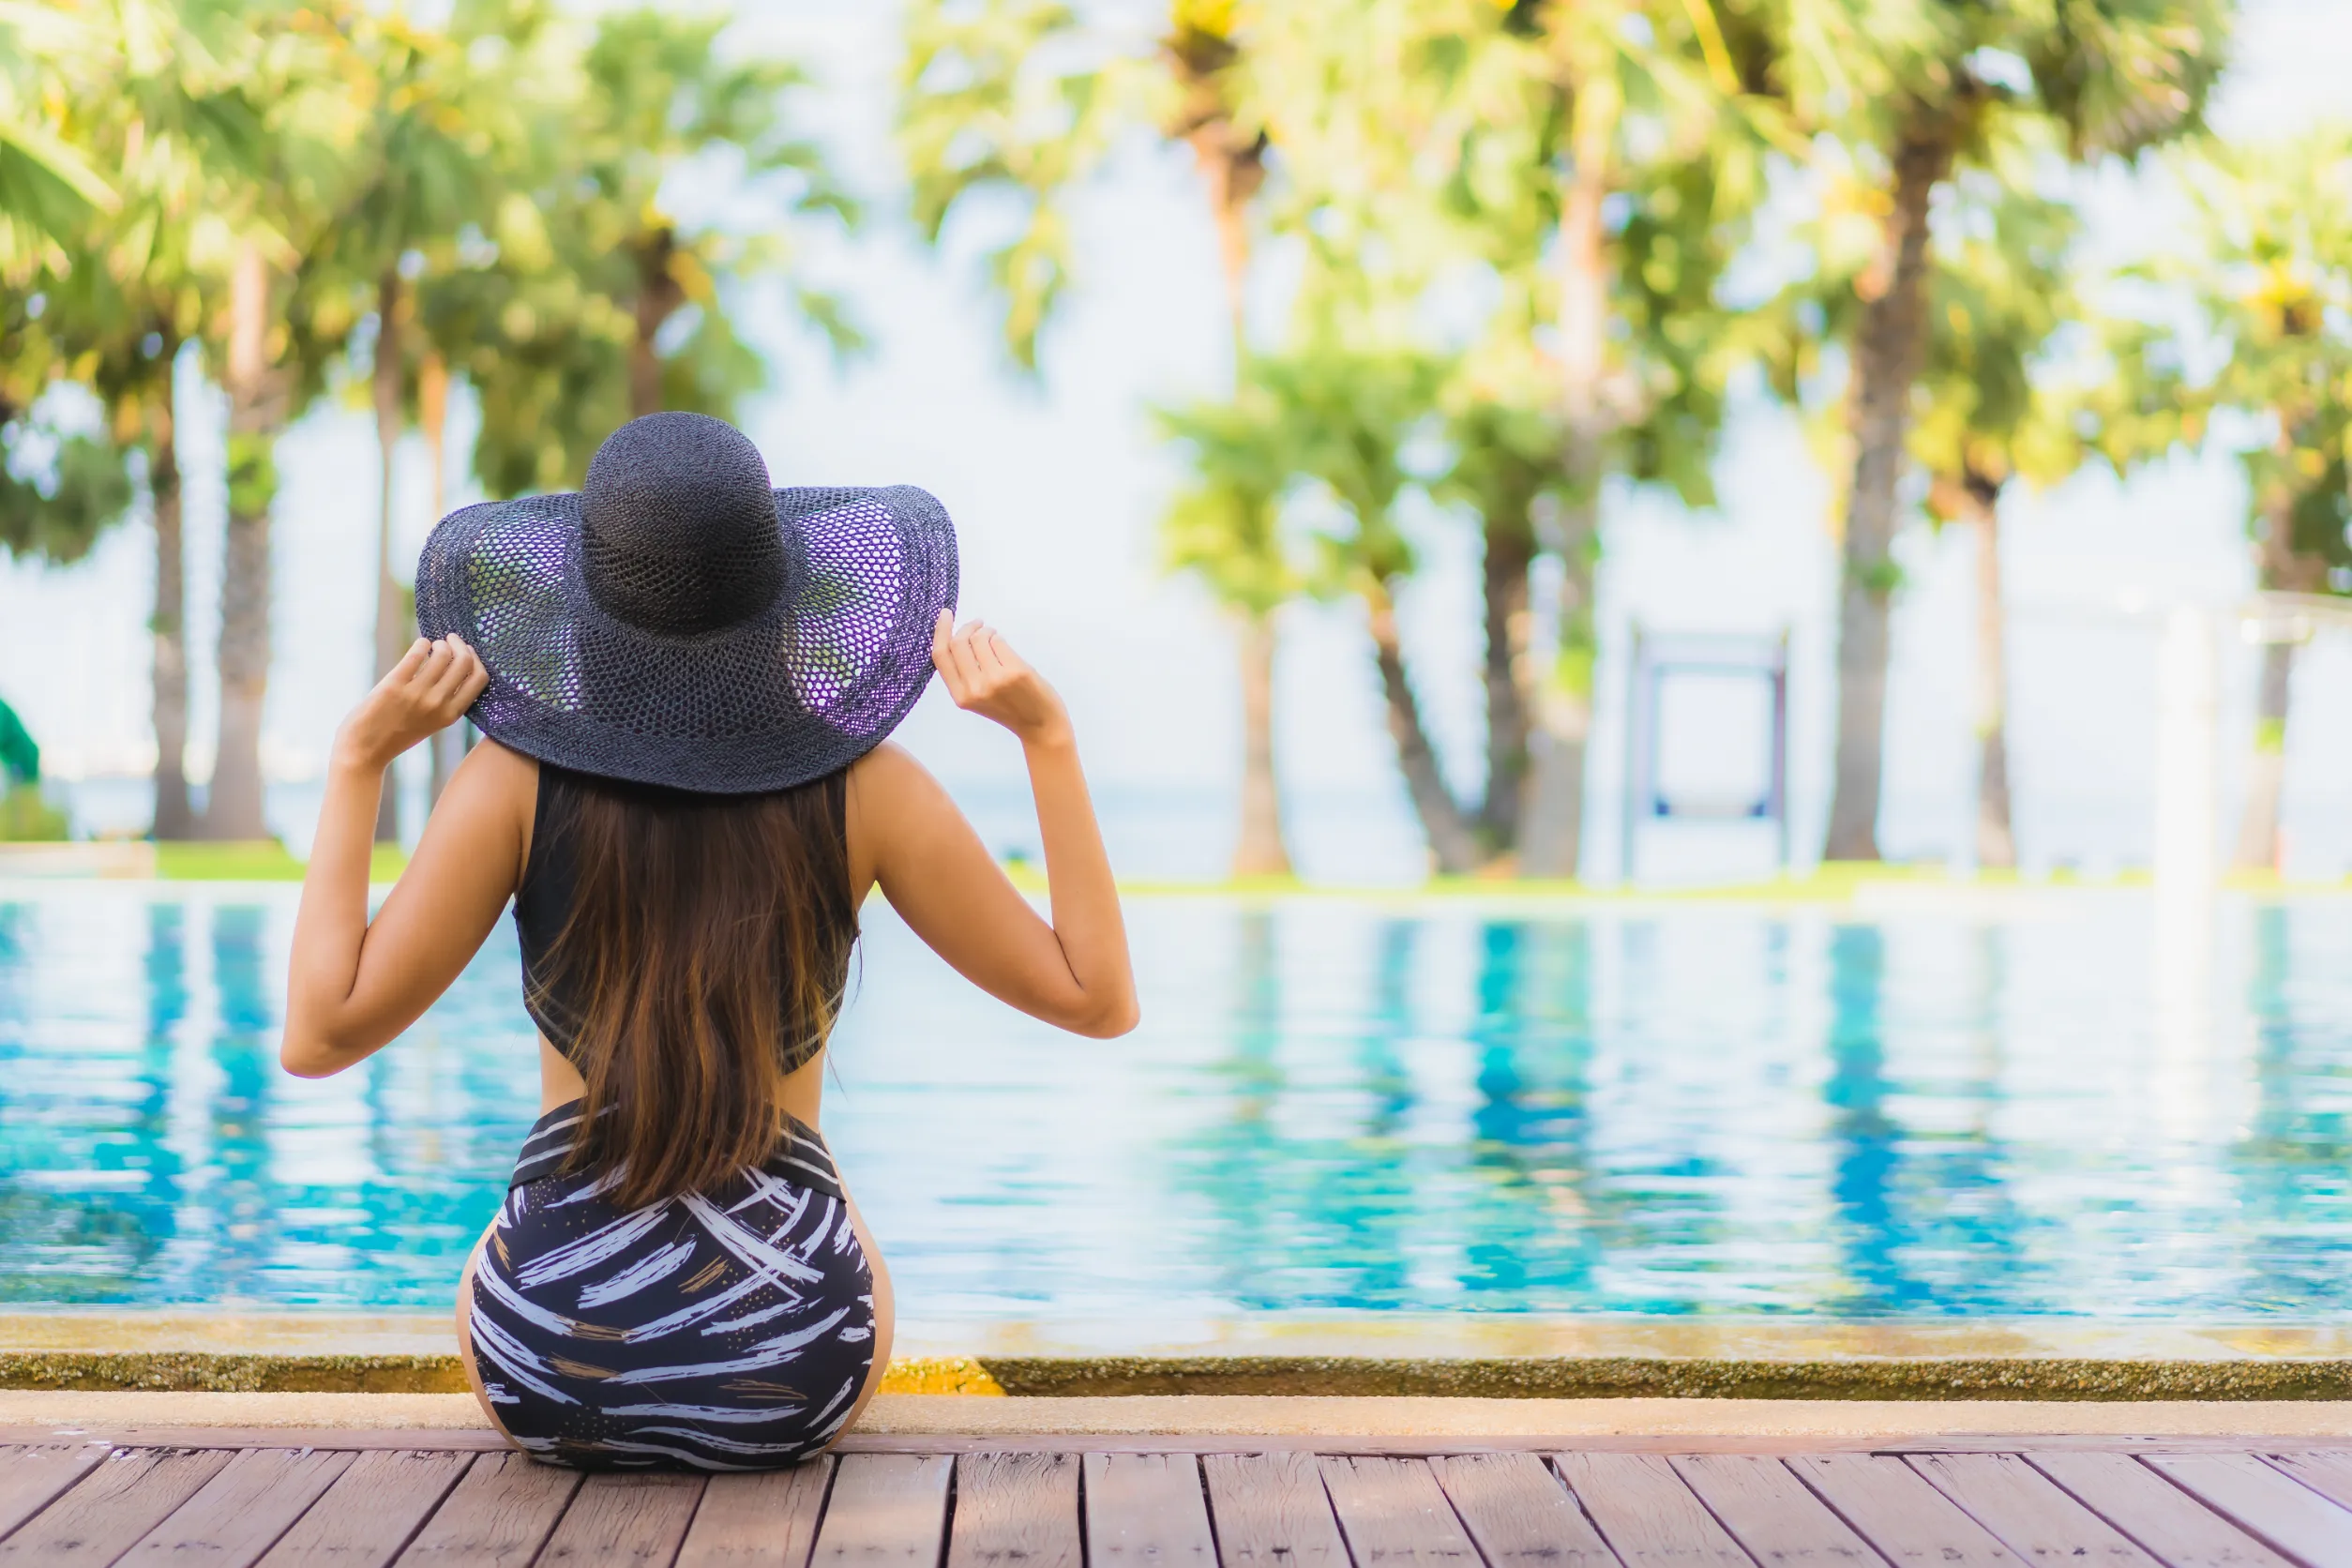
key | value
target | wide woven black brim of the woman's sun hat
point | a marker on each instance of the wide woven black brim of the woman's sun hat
(791, 695)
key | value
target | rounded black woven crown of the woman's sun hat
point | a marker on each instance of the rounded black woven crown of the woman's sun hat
(679, 525)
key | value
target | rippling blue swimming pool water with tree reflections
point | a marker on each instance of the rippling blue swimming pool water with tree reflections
(2022, 1108)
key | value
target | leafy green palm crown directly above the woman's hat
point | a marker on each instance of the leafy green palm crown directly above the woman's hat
(589, 302)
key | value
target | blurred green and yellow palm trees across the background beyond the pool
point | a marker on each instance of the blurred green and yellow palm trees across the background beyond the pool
(1492, 257)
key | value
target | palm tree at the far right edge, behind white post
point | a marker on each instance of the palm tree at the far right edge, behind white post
(2271, 286)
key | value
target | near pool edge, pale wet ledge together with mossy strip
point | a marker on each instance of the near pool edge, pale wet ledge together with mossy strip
(1276, 1355)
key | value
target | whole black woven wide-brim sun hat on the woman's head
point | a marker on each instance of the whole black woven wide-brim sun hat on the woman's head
(683, 624)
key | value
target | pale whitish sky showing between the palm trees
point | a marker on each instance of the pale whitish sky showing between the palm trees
(1057, 485)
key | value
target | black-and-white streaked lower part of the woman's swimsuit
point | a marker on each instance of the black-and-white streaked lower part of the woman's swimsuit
(723, 1332)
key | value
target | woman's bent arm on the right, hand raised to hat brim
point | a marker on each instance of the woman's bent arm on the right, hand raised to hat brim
(940, 878)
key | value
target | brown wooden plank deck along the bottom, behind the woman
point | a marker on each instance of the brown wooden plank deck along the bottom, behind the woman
(366, 1501)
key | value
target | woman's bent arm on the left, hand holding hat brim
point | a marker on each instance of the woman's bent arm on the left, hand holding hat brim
(356, 984)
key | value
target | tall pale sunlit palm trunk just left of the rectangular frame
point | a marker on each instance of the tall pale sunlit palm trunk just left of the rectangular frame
(1551, 829)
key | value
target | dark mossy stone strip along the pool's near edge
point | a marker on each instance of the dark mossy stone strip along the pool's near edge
(1892, 1379)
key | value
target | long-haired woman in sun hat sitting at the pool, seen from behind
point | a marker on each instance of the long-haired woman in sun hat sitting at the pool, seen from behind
(688, 683)
